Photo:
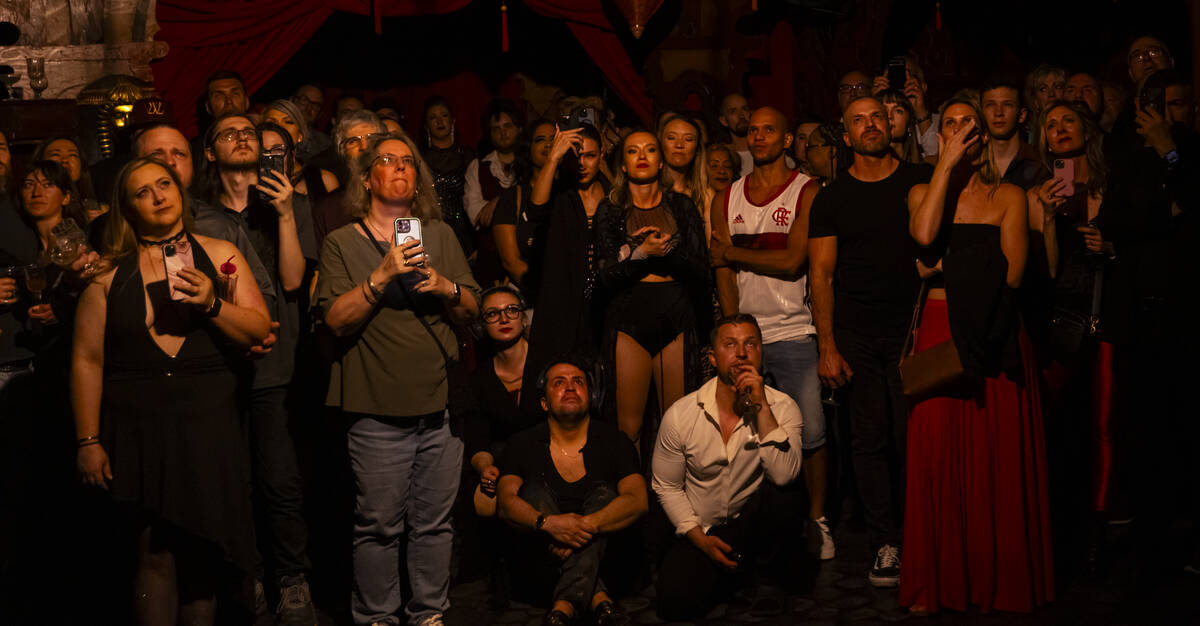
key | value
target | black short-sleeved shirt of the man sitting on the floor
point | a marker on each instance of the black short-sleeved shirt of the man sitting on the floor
(609, 456)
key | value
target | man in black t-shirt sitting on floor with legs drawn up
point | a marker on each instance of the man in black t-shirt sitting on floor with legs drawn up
(574, 481)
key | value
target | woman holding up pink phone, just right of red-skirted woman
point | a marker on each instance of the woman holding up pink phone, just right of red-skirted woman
(1083, 242)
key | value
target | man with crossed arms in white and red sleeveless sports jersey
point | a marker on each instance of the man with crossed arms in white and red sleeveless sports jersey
(760, 250)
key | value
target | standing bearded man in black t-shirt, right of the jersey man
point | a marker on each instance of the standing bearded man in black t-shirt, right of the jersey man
(860, 227)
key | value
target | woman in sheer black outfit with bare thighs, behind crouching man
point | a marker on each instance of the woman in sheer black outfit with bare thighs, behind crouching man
(655, 269)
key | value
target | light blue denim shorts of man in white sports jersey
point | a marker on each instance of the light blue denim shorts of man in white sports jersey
(794, 364)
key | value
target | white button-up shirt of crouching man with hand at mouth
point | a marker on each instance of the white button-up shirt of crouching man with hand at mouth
(704, 481)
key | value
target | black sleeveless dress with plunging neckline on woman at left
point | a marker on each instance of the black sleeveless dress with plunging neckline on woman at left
(171, 425)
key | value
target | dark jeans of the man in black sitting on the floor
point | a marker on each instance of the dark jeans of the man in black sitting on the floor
(579, 575)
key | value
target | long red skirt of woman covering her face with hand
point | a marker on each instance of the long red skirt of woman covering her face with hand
(977, 509)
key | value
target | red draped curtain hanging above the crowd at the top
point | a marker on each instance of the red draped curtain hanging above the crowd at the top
(255, 39)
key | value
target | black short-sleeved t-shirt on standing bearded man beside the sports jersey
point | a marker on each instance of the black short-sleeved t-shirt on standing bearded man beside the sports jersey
(877, 281)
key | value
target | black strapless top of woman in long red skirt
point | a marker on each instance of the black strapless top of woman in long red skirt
(982, 308)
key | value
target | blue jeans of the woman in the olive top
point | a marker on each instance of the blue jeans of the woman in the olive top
(406, 471)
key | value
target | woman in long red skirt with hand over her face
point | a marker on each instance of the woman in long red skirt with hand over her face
(977, 515)
